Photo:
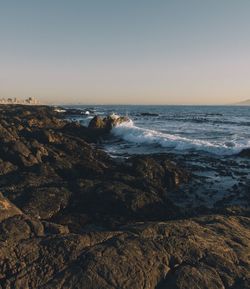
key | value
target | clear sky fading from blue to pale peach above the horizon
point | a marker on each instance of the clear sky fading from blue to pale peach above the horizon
(125, 51)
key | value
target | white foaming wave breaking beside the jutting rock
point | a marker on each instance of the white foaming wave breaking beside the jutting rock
(131, 133)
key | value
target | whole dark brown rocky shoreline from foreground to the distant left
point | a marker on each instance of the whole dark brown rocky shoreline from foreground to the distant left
(73, 217)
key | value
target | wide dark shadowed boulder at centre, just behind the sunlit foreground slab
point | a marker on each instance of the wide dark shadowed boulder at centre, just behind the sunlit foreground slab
(114, 203)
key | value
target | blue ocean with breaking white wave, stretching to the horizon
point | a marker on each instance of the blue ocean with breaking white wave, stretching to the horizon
(217, 130)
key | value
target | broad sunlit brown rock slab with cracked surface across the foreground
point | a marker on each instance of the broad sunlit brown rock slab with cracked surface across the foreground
(177, 254)
